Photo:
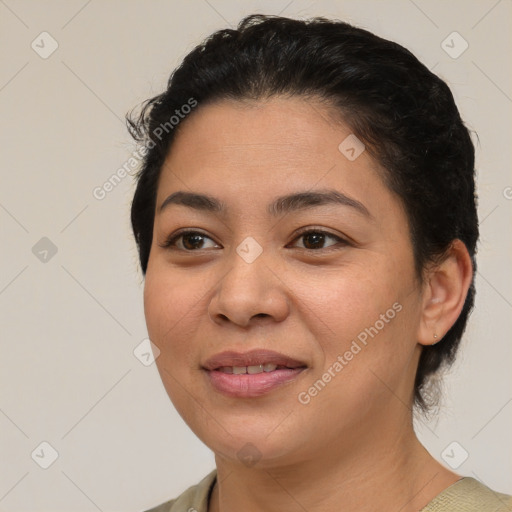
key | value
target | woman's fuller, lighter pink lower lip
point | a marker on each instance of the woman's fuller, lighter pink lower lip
(251, 385)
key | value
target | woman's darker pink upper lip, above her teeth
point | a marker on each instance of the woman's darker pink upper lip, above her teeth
(251, 358)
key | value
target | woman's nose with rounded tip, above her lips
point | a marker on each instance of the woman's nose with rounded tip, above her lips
(249, 293)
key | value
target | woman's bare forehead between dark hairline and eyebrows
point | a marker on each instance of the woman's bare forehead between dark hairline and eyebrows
(264, 144)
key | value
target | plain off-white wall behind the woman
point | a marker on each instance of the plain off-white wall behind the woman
(70, 321)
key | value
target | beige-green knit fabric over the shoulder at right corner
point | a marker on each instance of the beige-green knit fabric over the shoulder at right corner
(469, 495)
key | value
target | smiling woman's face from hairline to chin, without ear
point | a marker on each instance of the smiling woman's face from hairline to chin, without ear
(326, 322)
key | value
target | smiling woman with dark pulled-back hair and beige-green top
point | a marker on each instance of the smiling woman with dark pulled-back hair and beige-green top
(306, 223)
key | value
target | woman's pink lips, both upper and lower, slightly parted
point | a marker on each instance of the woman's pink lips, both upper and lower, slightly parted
(251, 374)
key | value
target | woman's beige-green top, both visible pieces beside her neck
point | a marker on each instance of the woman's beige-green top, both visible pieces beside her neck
(465, 495)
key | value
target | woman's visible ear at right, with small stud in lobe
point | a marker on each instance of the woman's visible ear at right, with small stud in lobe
(445, 290)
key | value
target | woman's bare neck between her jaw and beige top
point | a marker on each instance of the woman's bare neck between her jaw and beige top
(392, 471)
